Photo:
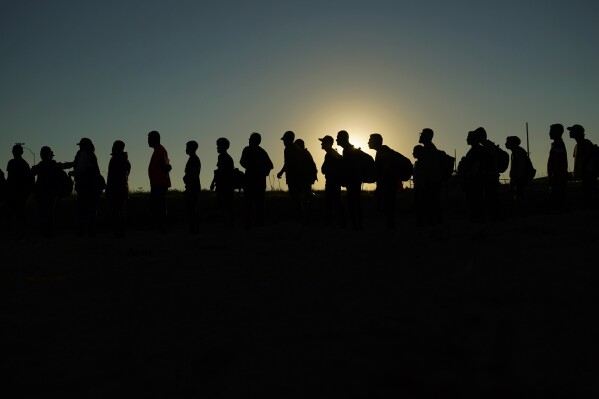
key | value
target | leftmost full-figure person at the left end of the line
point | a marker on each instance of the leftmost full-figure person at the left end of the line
(19, 185)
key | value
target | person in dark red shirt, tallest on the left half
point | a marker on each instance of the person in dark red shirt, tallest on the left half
(160, 181)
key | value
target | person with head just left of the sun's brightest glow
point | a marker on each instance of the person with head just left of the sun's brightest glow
(353, 180)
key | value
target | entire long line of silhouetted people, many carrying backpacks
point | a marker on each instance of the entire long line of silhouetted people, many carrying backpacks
(477, 174)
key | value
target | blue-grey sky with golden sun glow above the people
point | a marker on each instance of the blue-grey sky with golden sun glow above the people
(199, 70)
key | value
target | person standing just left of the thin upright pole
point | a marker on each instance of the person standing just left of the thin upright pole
(520, 176)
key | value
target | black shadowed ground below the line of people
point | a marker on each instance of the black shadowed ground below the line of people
(305, 312)
